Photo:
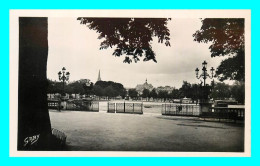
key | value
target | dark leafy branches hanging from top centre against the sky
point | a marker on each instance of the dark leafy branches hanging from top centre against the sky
(130, 36)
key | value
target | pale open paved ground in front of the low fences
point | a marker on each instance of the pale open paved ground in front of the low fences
(101, 131)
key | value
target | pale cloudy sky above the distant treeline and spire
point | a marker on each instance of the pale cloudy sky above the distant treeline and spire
(75, 47)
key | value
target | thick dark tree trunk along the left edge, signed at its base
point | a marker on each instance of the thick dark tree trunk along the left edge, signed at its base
(34, 128)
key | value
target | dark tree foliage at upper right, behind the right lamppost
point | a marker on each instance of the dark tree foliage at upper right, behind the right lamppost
(226, 36)
